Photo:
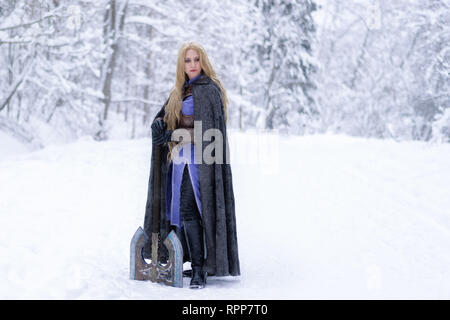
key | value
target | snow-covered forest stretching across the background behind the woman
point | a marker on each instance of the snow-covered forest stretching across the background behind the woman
(374, 68)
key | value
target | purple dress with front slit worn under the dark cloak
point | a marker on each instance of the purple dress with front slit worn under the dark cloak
(175, 172)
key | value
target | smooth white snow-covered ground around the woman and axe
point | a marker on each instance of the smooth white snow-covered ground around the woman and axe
(331, 217)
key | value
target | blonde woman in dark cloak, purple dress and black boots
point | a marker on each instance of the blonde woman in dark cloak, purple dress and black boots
(197, 199)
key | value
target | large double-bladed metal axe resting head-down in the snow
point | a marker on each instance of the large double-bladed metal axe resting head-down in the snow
(171, 273)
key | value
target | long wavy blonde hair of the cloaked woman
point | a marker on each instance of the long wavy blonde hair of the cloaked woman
(174, 104)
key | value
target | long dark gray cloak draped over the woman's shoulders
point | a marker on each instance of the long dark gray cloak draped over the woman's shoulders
(216, 189)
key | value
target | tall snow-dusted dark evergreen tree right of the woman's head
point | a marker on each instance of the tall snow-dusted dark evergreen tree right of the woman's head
(286, 63)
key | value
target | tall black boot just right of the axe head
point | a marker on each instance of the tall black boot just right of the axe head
(194, 237)
